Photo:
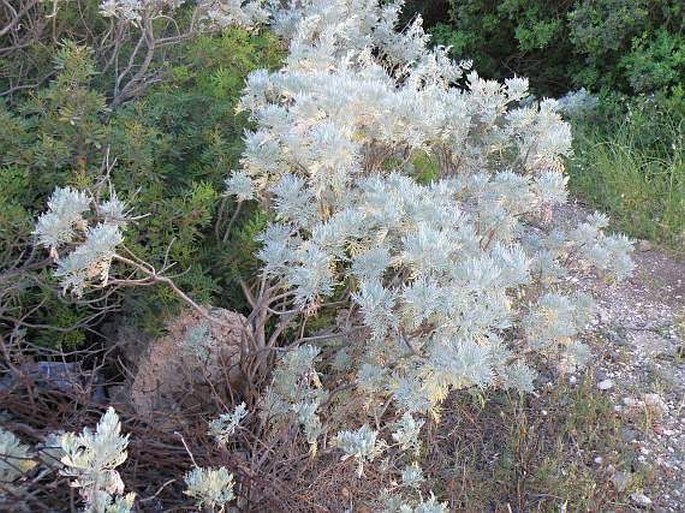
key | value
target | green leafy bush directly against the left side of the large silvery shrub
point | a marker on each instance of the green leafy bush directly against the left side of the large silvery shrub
(187, 138)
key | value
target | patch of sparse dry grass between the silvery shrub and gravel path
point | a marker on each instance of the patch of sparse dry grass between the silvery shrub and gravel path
(525, 454)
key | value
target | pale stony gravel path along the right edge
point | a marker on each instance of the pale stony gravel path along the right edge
(639, 336)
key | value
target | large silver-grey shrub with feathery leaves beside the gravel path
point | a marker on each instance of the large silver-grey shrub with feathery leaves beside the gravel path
(438, 284)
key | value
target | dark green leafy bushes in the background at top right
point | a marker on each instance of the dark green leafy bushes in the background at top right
(624, 45)
